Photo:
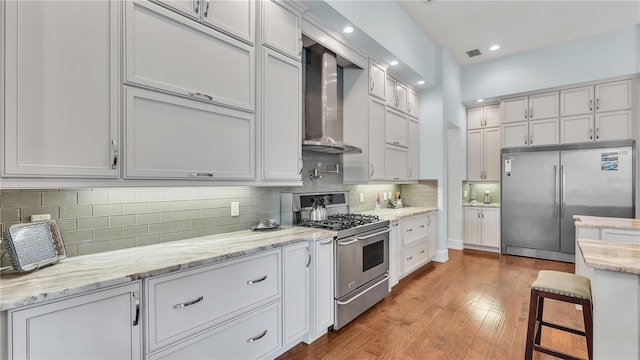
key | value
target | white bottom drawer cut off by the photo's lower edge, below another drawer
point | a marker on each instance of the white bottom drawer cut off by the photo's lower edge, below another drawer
(250, 337)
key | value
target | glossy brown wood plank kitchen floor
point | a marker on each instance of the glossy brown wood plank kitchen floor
(474, 306)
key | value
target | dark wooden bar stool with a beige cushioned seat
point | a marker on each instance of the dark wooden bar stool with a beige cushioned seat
(560, 286)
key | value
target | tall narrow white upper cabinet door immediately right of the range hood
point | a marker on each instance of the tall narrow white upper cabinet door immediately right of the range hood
(377, 116)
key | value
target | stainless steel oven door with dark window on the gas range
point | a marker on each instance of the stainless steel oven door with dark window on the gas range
(360, 259)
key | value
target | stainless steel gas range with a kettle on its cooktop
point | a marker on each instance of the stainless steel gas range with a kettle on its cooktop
(361, 249)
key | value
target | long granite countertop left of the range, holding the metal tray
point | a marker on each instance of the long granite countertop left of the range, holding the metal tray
(75, 275)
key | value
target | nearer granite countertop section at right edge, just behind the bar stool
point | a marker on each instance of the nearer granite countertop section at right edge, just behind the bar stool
(620, 257)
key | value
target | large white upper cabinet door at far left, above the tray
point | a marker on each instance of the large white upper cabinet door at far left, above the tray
(61, 104)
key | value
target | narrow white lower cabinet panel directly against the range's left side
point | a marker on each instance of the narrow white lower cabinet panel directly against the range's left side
(321, 310)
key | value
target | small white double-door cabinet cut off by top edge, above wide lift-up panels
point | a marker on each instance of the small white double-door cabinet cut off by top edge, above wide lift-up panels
(234, 17)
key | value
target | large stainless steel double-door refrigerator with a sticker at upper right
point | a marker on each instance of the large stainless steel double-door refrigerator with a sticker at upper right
(543, 188)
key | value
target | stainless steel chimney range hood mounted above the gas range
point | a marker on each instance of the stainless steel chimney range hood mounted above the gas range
(323, 105)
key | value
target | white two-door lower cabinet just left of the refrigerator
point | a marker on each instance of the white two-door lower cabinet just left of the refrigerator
(482, 226)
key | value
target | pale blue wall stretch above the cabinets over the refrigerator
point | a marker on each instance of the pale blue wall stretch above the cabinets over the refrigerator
(605, 55)
